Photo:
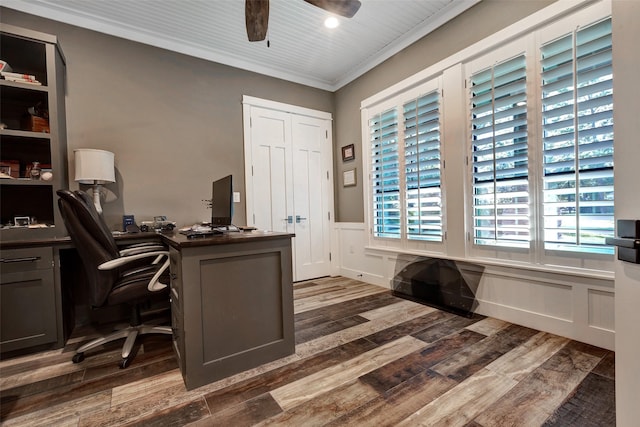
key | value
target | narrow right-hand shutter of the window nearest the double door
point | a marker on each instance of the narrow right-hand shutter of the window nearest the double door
(423, 207)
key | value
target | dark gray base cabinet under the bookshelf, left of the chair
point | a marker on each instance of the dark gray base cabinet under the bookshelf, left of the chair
(28, 299)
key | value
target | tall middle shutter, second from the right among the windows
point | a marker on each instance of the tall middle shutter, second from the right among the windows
(500, 155)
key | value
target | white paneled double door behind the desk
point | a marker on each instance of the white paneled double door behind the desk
(288, 161)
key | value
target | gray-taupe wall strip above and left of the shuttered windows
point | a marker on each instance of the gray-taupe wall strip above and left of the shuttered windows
(478, 22)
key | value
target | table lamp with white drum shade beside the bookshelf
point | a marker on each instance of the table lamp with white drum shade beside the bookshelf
(94, 167)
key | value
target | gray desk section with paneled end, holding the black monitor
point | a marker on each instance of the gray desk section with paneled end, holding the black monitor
(231, 302)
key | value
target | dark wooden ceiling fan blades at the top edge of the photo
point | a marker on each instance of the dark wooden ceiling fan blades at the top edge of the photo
(256, 14)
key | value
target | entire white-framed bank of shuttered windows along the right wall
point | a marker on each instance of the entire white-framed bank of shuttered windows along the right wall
(523, 120)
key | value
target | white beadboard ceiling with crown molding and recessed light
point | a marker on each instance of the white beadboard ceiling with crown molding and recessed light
(301, 49)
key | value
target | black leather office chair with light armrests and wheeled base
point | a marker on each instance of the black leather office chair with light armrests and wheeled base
(130, 276)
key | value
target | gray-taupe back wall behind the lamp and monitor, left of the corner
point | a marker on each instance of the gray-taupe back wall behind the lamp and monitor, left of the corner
(173, 121)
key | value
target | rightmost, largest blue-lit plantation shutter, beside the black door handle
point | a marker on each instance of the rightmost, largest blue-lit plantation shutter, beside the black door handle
(577, 124)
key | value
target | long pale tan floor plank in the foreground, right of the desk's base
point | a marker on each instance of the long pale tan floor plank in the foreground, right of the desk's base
(310, 387)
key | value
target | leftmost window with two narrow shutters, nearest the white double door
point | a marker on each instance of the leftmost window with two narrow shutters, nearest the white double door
(405, 167)
